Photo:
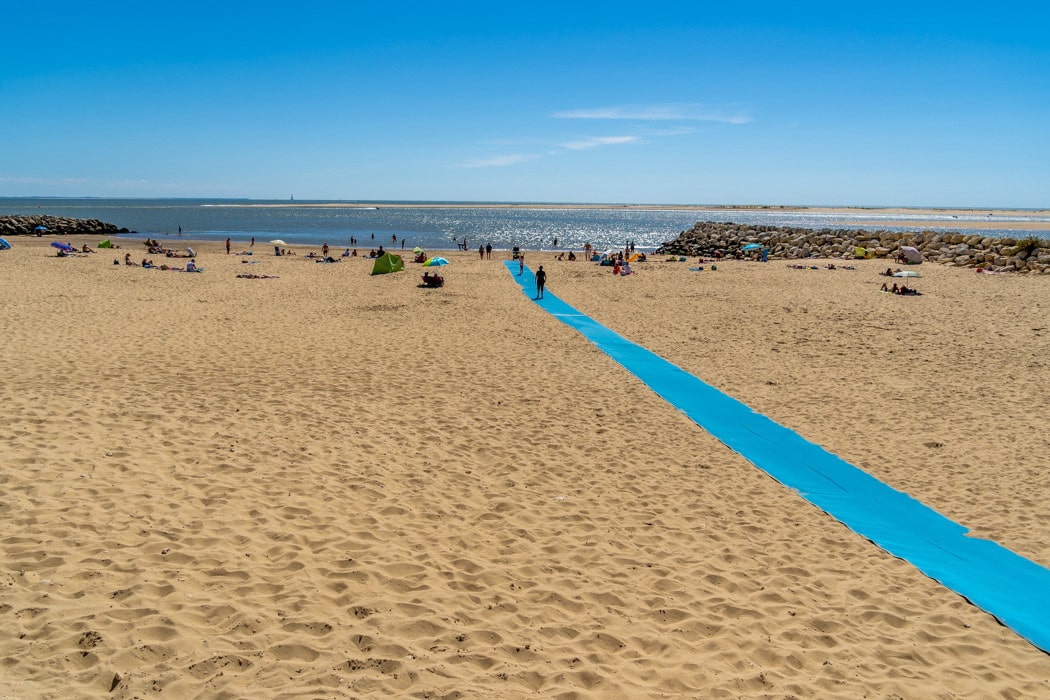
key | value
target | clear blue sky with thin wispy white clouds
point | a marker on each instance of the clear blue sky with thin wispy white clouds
(880, 104)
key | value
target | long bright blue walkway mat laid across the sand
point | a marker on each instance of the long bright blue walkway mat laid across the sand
(1013, 589)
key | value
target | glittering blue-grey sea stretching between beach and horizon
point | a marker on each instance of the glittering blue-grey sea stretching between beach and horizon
(448, 226)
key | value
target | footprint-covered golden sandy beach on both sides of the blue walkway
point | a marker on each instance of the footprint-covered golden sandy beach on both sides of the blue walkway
(334, 484)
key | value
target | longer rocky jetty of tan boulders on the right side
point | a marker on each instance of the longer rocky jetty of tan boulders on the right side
(791, 244)
